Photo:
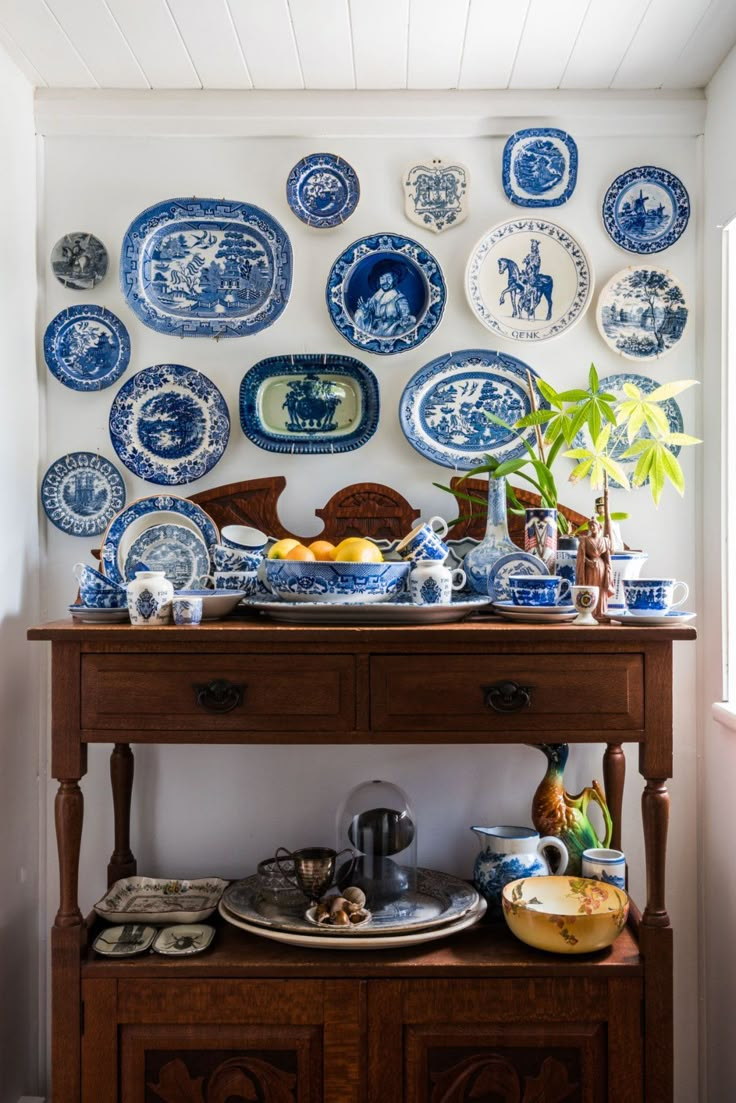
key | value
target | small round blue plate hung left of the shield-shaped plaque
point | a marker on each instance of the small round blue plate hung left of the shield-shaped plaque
(323, 190)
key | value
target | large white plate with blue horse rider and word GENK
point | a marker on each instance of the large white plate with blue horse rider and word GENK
(529, 281)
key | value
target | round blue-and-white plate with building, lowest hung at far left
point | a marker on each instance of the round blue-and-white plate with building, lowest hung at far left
(82, 492)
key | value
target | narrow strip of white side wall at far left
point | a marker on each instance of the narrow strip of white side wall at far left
(22, 687)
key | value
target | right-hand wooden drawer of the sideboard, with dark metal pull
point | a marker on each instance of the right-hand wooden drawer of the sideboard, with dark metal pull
(458, 693)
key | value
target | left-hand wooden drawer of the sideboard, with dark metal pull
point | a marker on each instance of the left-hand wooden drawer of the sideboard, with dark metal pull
(286, 693)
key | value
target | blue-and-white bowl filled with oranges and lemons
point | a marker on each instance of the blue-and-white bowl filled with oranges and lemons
(359, 583)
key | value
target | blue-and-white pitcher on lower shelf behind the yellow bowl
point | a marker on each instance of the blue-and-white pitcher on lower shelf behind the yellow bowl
(508, 854)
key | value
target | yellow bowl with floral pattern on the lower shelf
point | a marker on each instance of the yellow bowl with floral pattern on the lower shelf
(566, 915)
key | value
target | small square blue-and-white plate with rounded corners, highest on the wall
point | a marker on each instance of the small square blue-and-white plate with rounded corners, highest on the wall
(540, 167)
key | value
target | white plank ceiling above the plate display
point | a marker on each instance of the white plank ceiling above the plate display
(367, 45)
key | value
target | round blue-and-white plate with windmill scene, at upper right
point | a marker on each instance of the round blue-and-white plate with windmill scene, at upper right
(646, 210)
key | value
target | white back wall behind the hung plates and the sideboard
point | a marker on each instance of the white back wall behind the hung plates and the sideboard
(220, 810)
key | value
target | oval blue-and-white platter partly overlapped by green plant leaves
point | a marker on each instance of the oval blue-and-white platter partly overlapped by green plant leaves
(444, 406)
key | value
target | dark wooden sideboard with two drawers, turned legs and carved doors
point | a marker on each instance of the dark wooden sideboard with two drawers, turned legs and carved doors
(477, 1016)
